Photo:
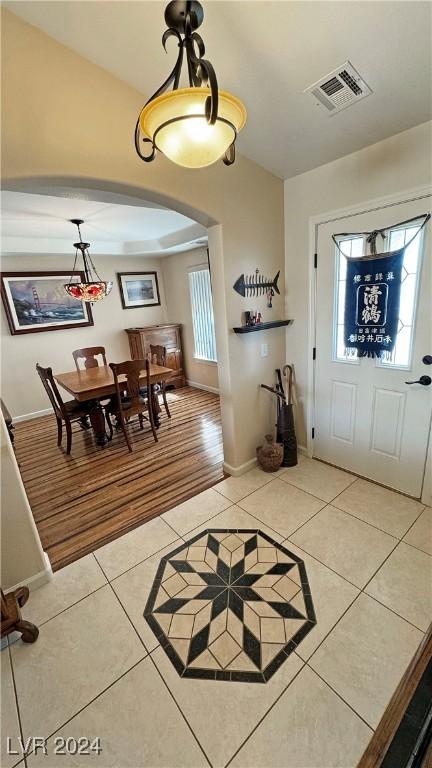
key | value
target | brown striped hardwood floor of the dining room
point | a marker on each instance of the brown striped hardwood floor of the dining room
(84, 500)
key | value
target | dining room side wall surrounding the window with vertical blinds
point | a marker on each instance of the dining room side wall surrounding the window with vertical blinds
(175, 270)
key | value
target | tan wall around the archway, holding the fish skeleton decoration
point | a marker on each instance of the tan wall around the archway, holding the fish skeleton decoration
(44, 84)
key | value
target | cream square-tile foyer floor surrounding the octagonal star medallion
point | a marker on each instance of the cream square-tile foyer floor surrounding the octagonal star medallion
(98, 670)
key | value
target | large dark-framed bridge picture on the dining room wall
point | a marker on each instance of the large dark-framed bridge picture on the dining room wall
(37, 301)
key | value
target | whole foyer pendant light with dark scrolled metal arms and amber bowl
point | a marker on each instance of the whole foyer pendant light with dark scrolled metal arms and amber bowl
(194, 126)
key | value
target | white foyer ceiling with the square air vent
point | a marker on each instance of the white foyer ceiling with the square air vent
(268, 53)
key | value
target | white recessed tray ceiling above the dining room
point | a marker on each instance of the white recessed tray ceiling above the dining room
(33, 223)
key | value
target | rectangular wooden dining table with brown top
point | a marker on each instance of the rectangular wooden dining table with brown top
(98, 383)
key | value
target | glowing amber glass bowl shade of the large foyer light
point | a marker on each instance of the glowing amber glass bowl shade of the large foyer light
(191, 141)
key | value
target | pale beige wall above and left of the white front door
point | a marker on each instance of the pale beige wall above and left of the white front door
(393, 166)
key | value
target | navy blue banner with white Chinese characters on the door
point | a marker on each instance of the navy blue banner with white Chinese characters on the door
(373, 286)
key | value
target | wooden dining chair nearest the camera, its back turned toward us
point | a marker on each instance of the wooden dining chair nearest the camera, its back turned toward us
(129, 400)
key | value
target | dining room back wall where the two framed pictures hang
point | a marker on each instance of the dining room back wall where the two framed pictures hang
(21, 387)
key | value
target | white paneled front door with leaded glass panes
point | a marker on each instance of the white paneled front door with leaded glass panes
(367, 418)
